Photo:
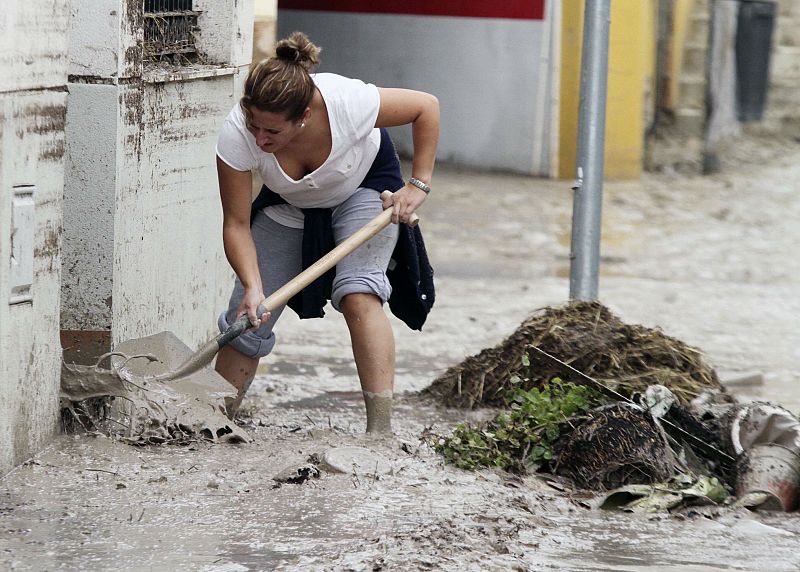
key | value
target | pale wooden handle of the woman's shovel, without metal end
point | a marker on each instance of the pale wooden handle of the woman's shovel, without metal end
(328, 261)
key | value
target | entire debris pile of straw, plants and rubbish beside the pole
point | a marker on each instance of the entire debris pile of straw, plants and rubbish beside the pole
(621, 408)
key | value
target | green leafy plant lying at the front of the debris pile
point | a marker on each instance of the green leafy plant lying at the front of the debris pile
(520, 439)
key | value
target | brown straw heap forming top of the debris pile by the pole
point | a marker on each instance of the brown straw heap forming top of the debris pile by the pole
(589, 337)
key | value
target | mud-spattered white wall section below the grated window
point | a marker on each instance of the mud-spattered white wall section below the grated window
(143, 225)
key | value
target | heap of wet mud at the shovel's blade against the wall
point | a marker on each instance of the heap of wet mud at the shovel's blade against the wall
(126, 401)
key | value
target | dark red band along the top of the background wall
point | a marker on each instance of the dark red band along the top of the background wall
(512, 9)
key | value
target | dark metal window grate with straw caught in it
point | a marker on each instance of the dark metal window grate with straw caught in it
(169, 27)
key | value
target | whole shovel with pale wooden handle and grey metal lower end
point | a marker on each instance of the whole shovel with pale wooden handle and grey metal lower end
(206, 353)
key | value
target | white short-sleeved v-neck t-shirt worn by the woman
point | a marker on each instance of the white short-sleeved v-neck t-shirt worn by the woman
(352, 111)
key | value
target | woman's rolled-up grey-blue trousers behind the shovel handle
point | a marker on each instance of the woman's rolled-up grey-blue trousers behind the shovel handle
(279, 252)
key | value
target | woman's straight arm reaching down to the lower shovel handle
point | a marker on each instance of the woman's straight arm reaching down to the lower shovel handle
(235, 188)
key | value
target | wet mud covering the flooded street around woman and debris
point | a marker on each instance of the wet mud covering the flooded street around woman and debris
(709, 260)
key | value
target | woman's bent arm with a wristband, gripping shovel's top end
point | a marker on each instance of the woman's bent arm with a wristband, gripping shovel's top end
(421, 110)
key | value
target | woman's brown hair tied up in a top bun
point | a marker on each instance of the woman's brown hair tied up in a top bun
(282, 83)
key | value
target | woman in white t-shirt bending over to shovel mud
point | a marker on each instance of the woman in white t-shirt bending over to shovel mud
(316, 140)
